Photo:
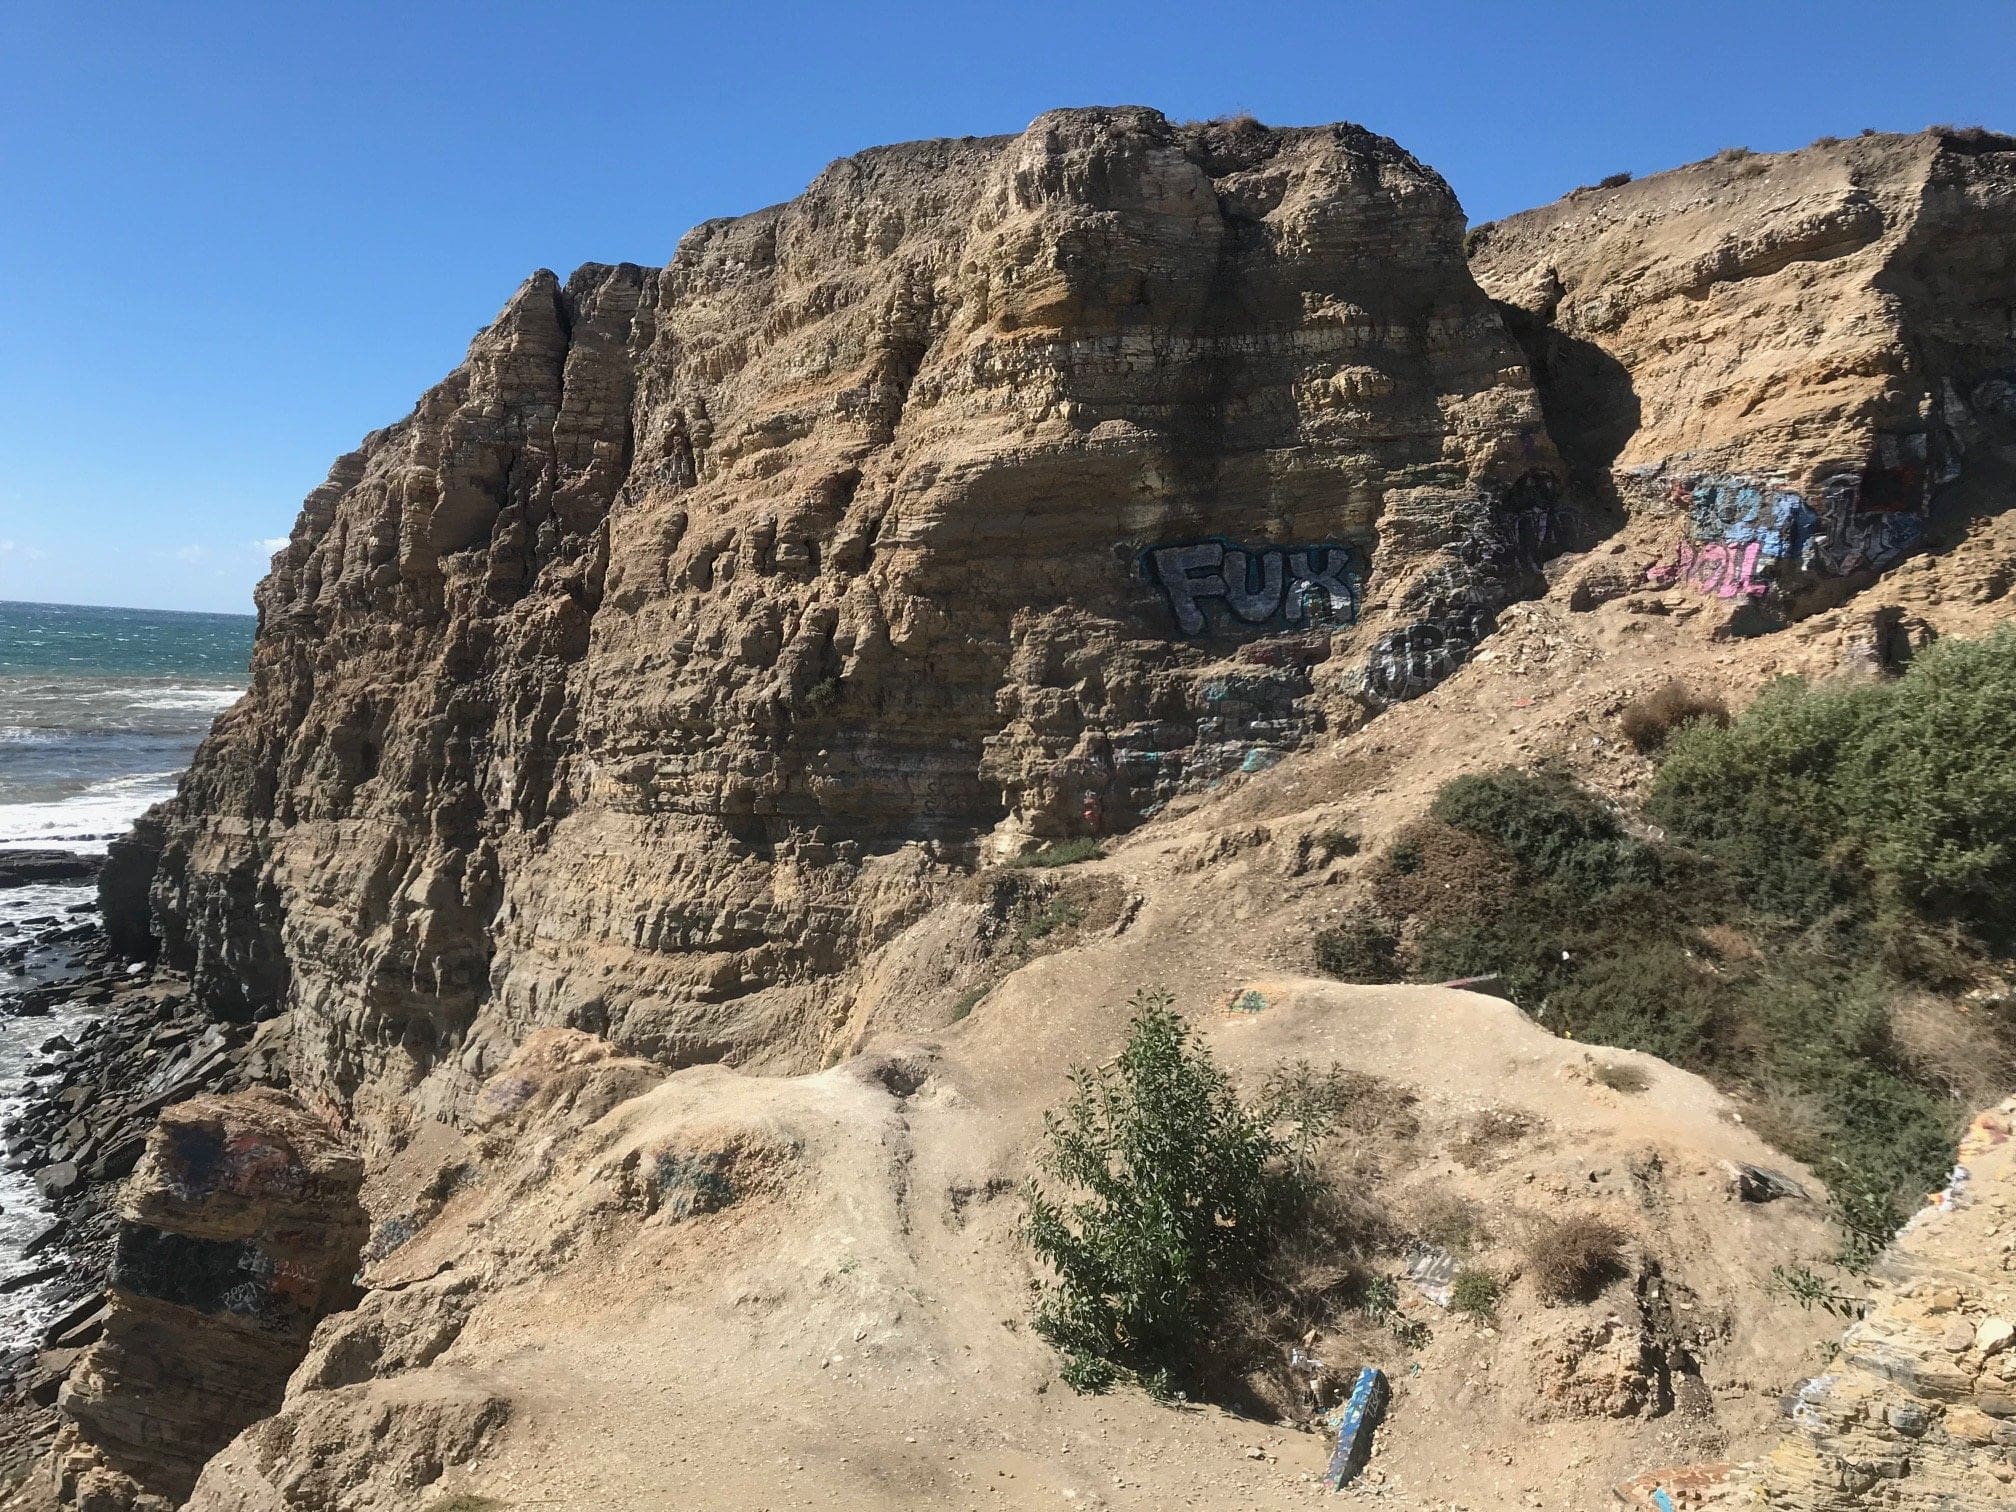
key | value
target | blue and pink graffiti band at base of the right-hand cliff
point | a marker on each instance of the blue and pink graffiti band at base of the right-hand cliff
(1745, 535)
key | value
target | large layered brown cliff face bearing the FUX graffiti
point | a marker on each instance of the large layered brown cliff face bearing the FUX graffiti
(672, 650)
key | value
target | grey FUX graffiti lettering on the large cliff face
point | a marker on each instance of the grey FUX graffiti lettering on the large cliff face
(1301, 586)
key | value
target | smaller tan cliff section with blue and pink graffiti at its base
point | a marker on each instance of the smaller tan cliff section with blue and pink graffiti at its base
(1787, 356)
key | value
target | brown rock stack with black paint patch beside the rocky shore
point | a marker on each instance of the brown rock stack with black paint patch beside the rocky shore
(239, 1233)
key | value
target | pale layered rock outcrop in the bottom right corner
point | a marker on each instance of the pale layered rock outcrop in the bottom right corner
(1918, 1408)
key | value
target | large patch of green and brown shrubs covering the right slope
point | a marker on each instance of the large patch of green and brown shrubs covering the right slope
(1834, 854)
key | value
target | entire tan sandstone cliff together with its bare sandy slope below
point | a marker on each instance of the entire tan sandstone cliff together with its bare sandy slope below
(650, 695)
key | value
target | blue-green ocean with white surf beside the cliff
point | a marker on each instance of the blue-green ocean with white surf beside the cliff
(100, 713)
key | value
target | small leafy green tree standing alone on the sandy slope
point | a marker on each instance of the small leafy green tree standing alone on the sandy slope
(1174, 1188)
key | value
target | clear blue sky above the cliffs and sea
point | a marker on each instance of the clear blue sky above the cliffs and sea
(237, 237)
